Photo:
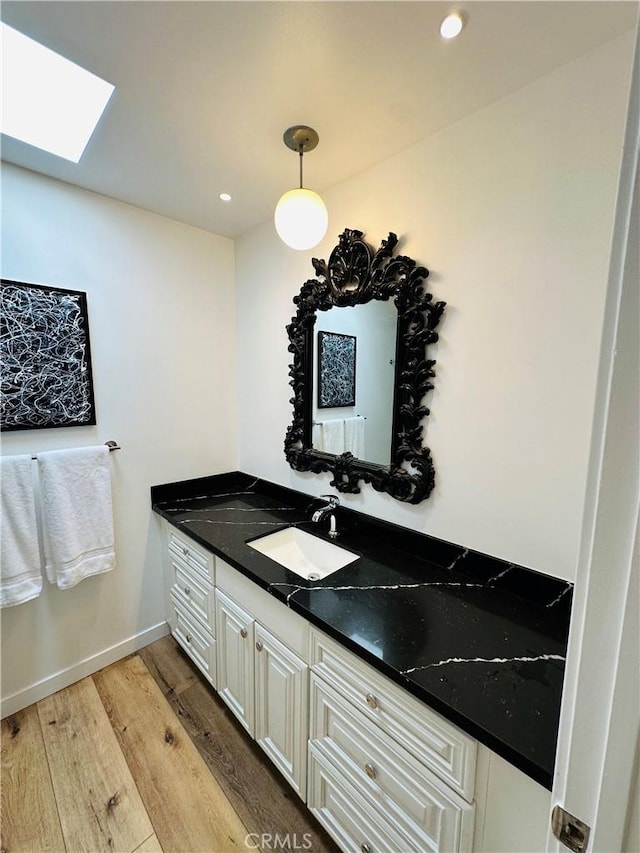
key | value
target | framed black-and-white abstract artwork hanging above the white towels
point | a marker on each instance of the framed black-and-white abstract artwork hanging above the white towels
(46, 359)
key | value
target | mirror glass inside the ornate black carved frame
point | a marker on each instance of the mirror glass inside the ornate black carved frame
(364, 428)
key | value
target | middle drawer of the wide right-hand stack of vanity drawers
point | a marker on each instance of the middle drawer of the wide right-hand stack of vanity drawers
(400, 789)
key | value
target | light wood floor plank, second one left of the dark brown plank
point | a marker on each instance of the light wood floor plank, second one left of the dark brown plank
(98, 803)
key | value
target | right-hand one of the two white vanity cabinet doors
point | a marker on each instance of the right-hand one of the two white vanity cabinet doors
(281, 707)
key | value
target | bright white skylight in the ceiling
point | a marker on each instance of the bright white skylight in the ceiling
(47, 100)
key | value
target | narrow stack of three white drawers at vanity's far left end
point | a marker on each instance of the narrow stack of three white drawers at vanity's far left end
(190, 601)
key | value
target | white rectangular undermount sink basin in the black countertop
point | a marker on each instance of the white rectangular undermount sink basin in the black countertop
(306, 555)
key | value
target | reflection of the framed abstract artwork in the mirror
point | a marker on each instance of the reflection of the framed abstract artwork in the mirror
(336, 370)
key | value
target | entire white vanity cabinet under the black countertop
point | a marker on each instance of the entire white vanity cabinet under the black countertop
(381, 771)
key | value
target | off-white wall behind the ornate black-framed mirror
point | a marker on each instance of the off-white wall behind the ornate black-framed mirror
(512, 211)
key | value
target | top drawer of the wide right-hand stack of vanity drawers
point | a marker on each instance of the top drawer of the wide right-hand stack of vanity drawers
(439, 745)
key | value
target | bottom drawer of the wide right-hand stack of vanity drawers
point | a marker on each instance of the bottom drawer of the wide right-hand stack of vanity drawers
(345, 815)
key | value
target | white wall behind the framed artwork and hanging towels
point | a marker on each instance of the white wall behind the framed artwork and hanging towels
(161, 316)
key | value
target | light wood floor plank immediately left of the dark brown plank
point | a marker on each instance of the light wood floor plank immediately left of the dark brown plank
(187, 807)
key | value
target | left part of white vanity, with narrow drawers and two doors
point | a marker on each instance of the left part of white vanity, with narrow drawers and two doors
(255, 654)
